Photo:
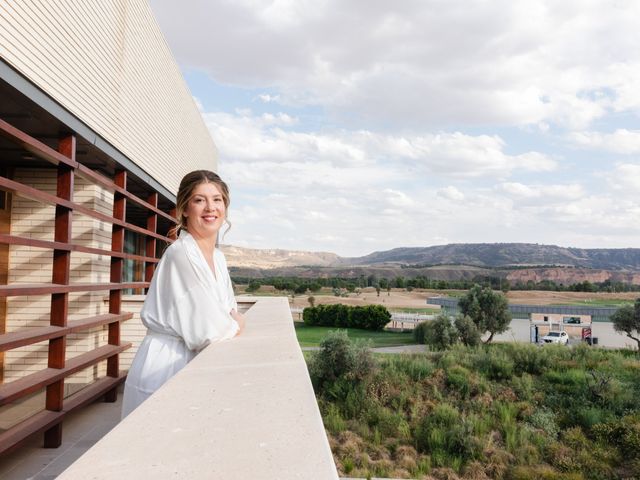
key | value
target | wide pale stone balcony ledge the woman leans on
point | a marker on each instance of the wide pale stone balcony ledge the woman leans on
(242, 409)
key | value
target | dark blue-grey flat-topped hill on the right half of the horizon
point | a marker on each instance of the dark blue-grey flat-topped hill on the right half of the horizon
(501, 255)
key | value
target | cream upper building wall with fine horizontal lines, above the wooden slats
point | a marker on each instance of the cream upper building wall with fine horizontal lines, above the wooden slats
(107, 63)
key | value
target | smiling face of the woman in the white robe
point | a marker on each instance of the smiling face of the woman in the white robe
(205, 211)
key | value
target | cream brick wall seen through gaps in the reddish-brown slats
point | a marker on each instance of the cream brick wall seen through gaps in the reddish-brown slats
(34, 265)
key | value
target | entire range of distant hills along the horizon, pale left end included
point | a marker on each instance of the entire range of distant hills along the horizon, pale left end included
(516, 262)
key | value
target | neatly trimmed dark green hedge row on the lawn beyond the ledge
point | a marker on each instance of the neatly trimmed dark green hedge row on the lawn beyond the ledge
(368, 317)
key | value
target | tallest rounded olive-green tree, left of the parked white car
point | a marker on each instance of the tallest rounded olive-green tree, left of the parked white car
(489, 310)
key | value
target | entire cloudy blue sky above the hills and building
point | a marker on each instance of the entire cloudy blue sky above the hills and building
(353, 126)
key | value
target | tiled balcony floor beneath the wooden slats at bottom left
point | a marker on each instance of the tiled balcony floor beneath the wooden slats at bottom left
(80, 431)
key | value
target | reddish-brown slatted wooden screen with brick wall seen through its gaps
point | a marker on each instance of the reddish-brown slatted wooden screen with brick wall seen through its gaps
(67, 251)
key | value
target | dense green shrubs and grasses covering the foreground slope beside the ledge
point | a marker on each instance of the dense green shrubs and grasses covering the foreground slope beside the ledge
(507, 411)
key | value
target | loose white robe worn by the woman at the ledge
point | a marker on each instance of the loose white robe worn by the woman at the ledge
(186, 309)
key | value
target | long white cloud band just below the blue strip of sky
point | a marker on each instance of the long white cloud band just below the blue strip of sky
(244, 137)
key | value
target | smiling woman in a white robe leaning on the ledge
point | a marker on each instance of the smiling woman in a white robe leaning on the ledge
(190, 302)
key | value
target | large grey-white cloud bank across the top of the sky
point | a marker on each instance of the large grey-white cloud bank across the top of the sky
(502, 62)
